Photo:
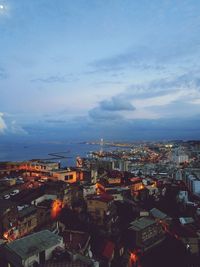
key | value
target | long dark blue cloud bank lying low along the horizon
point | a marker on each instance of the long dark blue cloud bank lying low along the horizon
(112, 126)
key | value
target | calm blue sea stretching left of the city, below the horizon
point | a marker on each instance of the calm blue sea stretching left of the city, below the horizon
(44, 150)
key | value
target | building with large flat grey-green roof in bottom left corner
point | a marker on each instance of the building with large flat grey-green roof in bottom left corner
(32, 250)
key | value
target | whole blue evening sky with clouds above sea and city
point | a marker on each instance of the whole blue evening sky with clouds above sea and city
(90, 69)
